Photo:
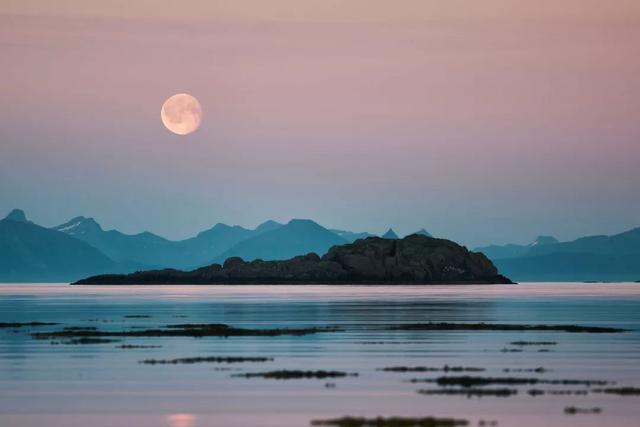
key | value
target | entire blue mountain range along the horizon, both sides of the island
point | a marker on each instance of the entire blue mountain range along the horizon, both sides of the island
(81, 247)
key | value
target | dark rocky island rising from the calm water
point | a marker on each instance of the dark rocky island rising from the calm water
(415, 259)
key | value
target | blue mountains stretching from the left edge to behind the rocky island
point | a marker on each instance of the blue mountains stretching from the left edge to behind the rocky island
(81, 247)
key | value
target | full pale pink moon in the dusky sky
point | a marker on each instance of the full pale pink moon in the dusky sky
(181, 114)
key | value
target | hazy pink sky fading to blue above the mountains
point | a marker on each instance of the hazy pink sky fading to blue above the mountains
(483, 122)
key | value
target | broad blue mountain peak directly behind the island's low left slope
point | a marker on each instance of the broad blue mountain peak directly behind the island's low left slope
(298, 237)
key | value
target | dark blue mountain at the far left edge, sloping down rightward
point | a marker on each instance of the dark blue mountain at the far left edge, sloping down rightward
(29, 252)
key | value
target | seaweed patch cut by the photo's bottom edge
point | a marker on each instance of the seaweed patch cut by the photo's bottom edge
(391, 422)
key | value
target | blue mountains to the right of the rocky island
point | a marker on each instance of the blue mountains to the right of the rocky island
(593, 258)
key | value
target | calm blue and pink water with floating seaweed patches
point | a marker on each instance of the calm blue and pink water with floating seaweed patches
(102, 385)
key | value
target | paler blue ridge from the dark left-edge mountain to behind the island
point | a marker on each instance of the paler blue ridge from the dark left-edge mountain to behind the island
(298, 237)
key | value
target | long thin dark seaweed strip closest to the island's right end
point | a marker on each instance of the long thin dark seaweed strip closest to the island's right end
(444, 326)
